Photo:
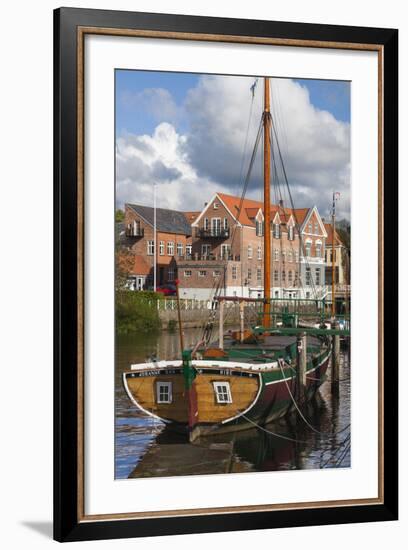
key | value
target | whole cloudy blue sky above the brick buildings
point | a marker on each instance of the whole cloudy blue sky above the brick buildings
(193, 135)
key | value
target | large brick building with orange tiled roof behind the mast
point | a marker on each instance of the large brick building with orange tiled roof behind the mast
(227, 250)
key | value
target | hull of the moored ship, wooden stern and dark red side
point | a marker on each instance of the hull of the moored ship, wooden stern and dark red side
(258, 394)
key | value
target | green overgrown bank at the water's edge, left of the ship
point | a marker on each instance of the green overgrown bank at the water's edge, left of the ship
(136, 312)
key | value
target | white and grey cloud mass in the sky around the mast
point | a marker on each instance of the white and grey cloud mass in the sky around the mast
(208, 157)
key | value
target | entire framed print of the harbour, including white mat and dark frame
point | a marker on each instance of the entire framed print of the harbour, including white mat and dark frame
(225, 274)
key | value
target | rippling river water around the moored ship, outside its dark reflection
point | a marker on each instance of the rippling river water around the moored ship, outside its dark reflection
(319, 440)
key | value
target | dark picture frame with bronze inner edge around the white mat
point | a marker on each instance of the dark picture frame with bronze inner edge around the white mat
(70, 27)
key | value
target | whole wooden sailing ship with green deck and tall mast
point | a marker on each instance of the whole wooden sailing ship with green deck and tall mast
(250, 382)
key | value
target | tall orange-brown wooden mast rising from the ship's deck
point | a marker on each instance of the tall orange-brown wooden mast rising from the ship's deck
(267, 205)
